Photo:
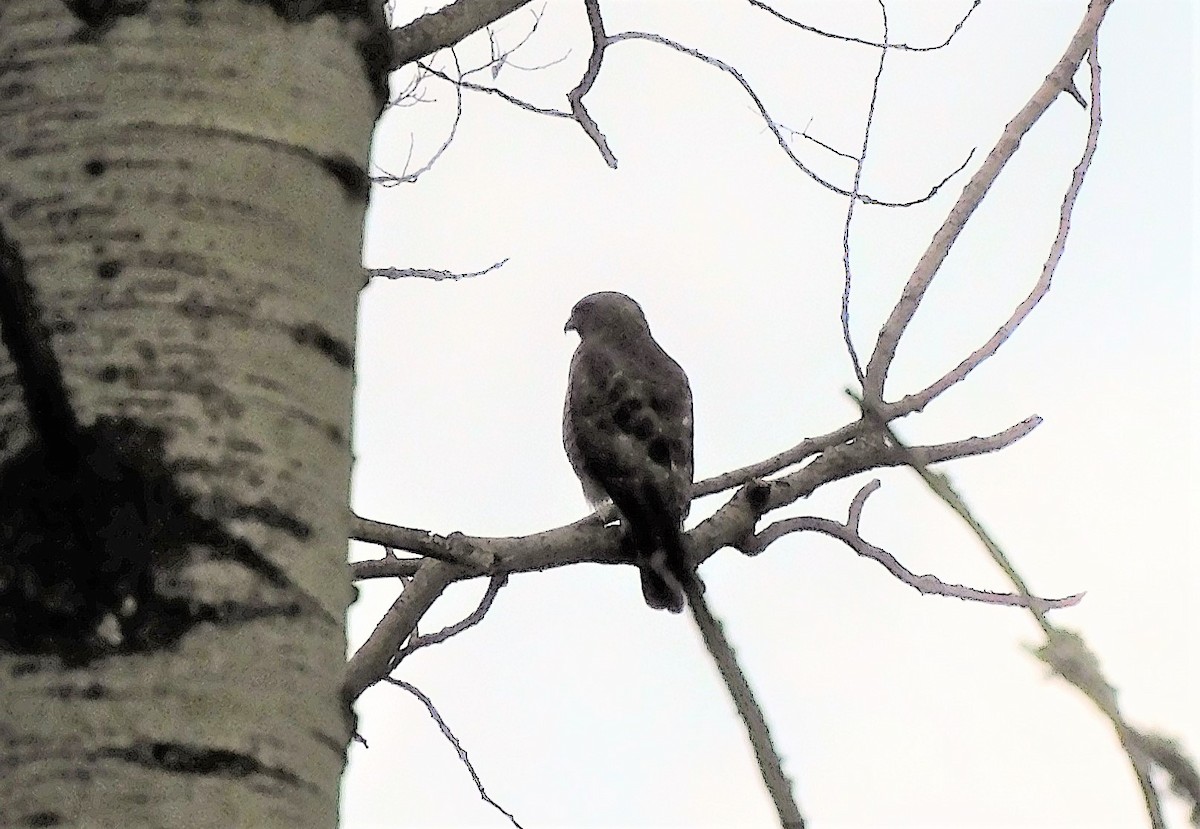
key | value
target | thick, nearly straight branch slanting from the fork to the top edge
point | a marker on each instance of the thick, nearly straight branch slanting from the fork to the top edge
(973, 195)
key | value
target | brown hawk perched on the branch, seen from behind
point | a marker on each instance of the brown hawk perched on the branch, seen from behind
(628, 432)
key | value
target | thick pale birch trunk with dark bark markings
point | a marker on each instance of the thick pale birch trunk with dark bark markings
(183, 188)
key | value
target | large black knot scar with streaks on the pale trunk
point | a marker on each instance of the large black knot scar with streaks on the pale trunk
(89, 515)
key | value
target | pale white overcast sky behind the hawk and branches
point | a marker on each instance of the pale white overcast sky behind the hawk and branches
(579, 706)
